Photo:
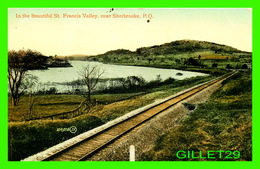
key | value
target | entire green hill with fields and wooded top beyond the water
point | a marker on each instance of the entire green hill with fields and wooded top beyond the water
(182, 54)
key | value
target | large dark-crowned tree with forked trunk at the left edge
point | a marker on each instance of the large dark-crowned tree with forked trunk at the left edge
(19, 62)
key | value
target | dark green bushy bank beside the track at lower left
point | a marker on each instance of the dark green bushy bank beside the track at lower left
(28, 138)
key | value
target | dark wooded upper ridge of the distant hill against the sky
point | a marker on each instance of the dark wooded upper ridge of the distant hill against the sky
(173, 48)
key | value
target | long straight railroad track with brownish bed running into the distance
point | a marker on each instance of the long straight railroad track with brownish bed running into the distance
(86, 148)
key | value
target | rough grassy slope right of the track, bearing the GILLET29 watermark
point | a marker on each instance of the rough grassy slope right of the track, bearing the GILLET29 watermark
(223, 123)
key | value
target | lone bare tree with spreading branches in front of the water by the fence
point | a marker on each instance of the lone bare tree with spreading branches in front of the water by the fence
(91, 76)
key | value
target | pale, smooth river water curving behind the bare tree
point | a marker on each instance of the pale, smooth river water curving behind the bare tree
(48, 78)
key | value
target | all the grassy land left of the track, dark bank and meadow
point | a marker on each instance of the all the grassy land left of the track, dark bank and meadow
(27, 138)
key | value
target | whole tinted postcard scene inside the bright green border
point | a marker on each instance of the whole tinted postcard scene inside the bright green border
(129, 84)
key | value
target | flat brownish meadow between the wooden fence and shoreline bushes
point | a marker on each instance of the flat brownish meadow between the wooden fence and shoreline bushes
(53, 104)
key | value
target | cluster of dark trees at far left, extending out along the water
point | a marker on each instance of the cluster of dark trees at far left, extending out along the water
(19, 62)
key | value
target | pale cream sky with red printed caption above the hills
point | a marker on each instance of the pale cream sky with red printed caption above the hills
(90, 36)
